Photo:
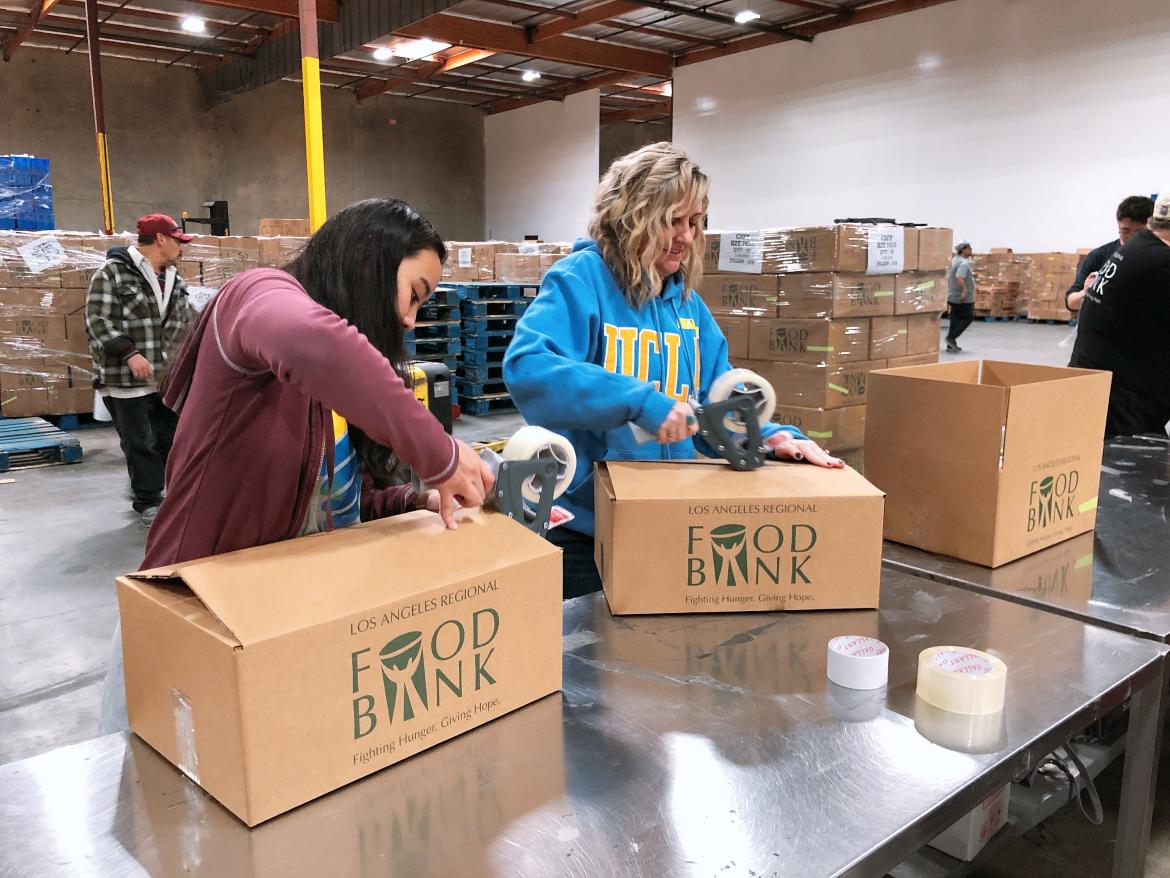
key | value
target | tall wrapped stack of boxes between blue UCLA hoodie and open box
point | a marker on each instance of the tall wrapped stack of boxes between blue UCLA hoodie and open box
(815, 324)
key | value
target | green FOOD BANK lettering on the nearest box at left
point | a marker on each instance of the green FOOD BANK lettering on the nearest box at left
(417, 673)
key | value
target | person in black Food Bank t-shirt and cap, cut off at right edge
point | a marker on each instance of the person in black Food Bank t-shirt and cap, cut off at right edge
(1126, 328)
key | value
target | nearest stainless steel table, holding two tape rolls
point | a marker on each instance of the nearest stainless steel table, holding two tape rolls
(682, 746)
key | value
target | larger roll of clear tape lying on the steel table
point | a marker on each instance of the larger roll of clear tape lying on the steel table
(962, 681)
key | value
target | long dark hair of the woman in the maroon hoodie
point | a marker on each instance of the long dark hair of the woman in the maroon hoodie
(350, 266)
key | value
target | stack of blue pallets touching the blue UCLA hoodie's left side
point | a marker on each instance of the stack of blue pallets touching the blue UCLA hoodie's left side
(491, 312)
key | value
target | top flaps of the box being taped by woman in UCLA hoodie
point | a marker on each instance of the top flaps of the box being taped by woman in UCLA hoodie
(718, 481)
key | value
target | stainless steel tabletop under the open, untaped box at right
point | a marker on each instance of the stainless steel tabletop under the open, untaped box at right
(1118, 577)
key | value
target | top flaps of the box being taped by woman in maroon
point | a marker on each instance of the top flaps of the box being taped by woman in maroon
(277, 589)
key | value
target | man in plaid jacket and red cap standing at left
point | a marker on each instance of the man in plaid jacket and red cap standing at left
(137, 312)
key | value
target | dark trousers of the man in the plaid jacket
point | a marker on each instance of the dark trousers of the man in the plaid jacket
(147, 430)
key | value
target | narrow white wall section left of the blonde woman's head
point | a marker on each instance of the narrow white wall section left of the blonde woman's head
(542, 167)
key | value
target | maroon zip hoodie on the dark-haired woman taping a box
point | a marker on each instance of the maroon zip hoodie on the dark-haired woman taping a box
(253, 386)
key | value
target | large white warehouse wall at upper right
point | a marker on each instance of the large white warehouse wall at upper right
(1021, 125)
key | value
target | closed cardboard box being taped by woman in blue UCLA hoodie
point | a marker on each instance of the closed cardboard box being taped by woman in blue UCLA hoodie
(699, 537)
